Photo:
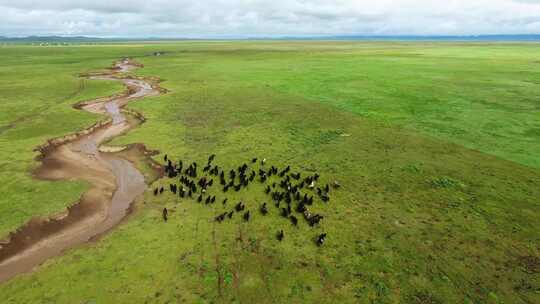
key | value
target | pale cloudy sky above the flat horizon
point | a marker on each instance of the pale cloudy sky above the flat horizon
(250, 18)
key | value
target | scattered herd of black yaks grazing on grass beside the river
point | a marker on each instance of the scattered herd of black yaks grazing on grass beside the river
(289, 195)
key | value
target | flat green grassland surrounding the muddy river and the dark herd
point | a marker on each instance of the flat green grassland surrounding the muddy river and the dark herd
(437, 146)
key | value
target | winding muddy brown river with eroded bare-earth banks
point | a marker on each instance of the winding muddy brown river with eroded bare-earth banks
(115, 183)
